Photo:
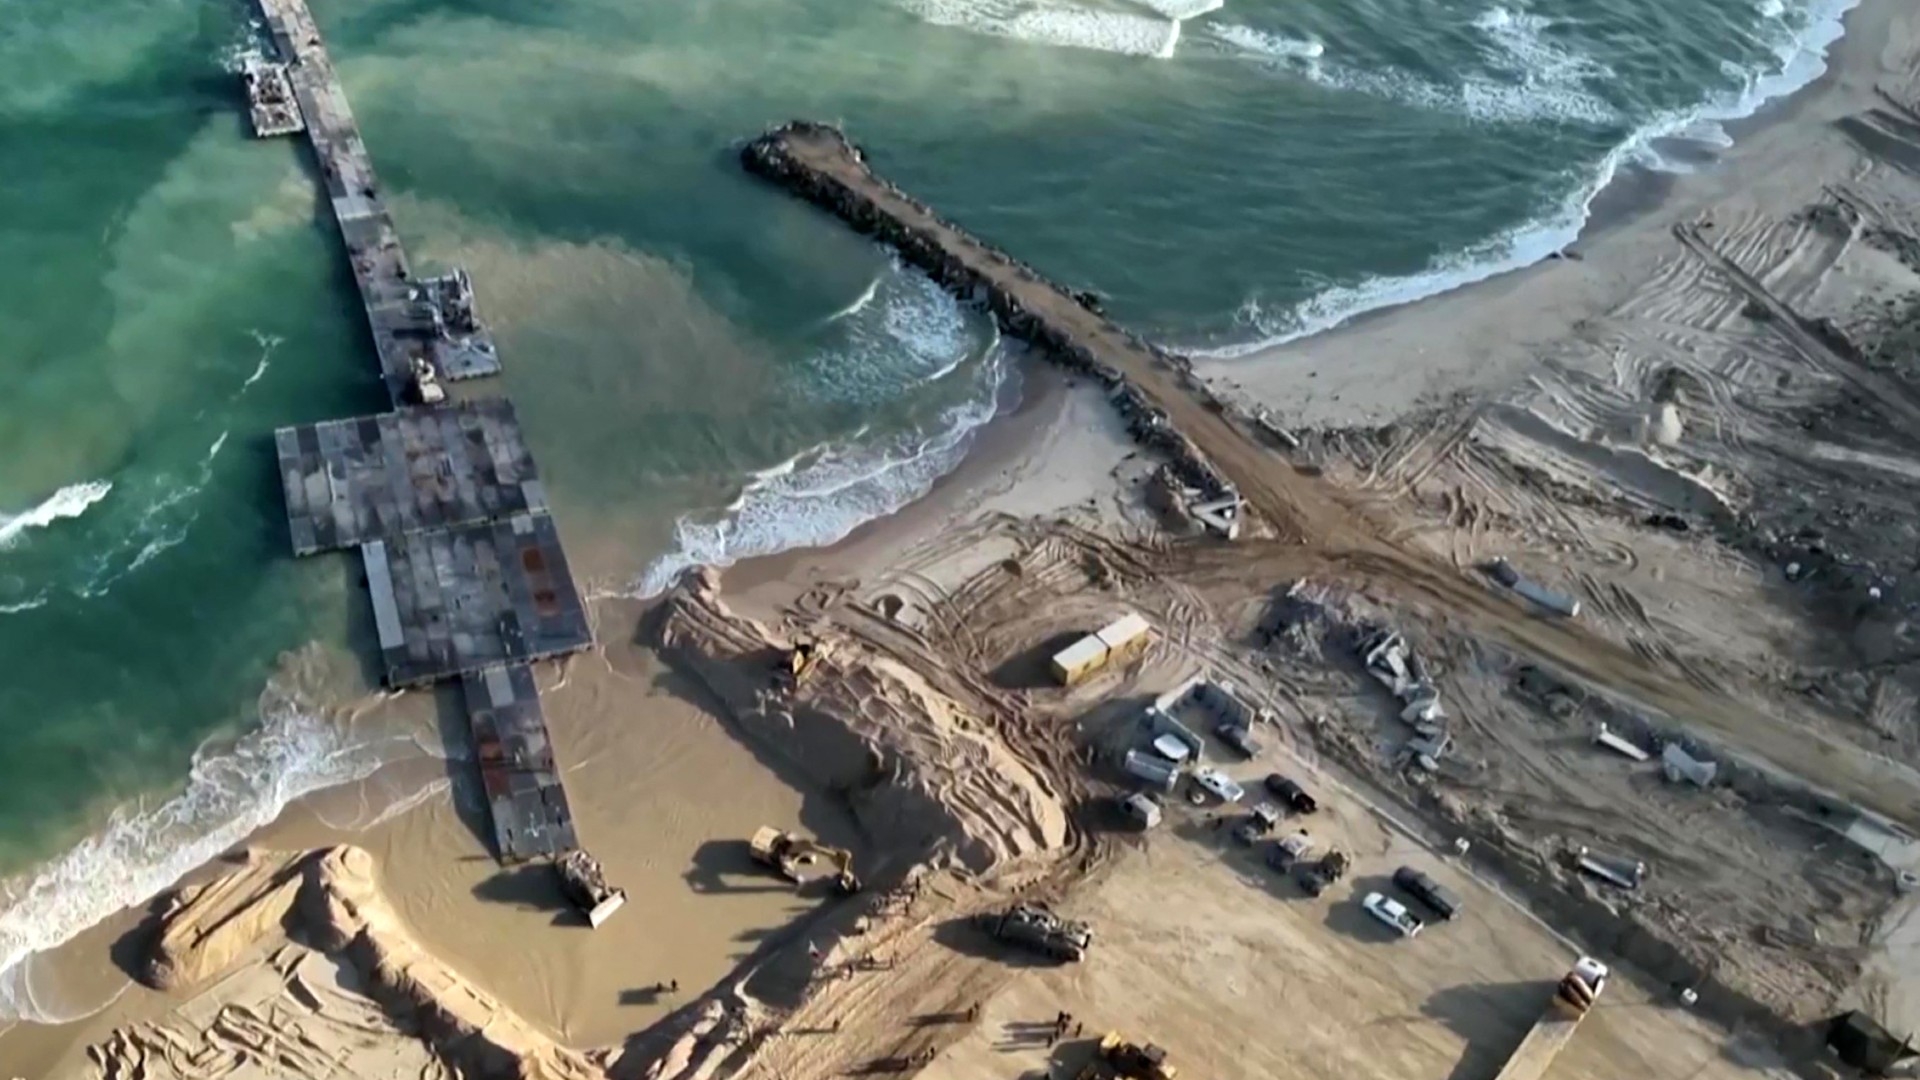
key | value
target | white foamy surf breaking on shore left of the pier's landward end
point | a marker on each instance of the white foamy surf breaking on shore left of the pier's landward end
(231, 791)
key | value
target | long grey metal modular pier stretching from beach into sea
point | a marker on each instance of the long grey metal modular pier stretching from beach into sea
(464, 564)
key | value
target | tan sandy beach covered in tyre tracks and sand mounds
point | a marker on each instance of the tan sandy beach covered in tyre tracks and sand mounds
(1698, 422)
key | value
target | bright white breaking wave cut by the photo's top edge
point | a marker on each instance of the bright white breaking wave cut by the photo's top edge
(1070, 26)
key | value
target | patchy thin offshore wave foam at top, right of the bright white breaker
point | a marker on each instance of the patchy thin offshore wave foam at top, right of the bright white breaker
(1547, 82)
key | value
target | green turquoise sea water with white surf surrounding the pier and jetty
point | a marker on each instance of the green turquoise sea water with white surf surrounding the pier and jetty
(706, 368)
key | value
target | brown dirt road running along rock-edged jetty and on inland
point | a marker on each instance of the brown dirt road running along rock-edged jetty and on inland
(825, 168)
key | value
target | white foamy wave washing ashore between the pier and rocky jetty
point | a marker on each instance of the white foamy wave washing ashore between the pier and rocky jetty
(819, 497)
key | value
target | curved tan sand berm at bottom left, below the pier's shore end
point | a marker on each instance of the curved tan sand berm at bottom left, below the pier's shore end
(333, 900)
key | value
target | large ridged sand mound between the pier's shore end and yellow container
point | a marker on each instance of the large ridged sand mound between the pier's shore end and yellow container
(924, 777)
